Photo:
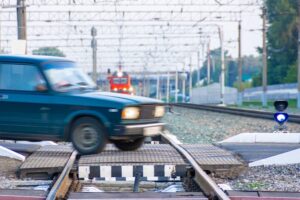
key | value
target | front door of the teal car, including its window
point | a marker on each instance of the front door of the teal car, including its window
(24, 111)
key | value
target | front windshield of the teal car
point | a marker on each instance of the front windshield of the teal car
(64, 76)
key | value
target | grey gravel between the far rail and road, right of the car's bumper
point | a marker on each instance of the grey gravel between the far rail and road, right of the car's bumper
(197, 126)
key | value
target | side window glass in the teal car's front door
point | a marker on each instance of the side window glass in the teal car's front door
(20, 77)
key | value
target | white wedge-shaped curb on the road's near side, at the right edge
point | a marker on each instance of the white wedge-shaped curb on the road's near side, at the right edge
(290, 157)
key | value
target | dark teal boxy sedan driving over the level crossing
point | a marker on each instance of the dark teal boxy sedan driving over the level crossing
(49, 98)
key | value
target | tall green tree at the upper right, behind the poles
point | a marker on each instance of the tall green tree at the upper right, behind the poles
(282, 37)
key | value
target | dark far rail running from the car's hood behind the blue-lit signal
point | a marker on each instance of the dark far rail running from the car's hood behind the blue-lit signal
(237, 111)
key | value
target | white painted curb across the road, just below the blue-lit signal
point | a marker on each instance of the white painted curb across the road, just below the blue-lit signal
(293, 138)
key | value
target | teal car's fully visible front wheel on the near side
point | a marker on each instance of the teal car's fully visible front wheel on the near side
(88, 136)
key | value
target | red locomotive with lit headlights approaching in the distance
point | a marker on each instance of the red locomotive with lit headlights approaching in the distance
(120, 82)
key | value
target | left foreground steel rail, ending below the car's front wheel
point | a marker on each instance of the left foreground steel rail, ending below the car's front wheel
(53, 193)
